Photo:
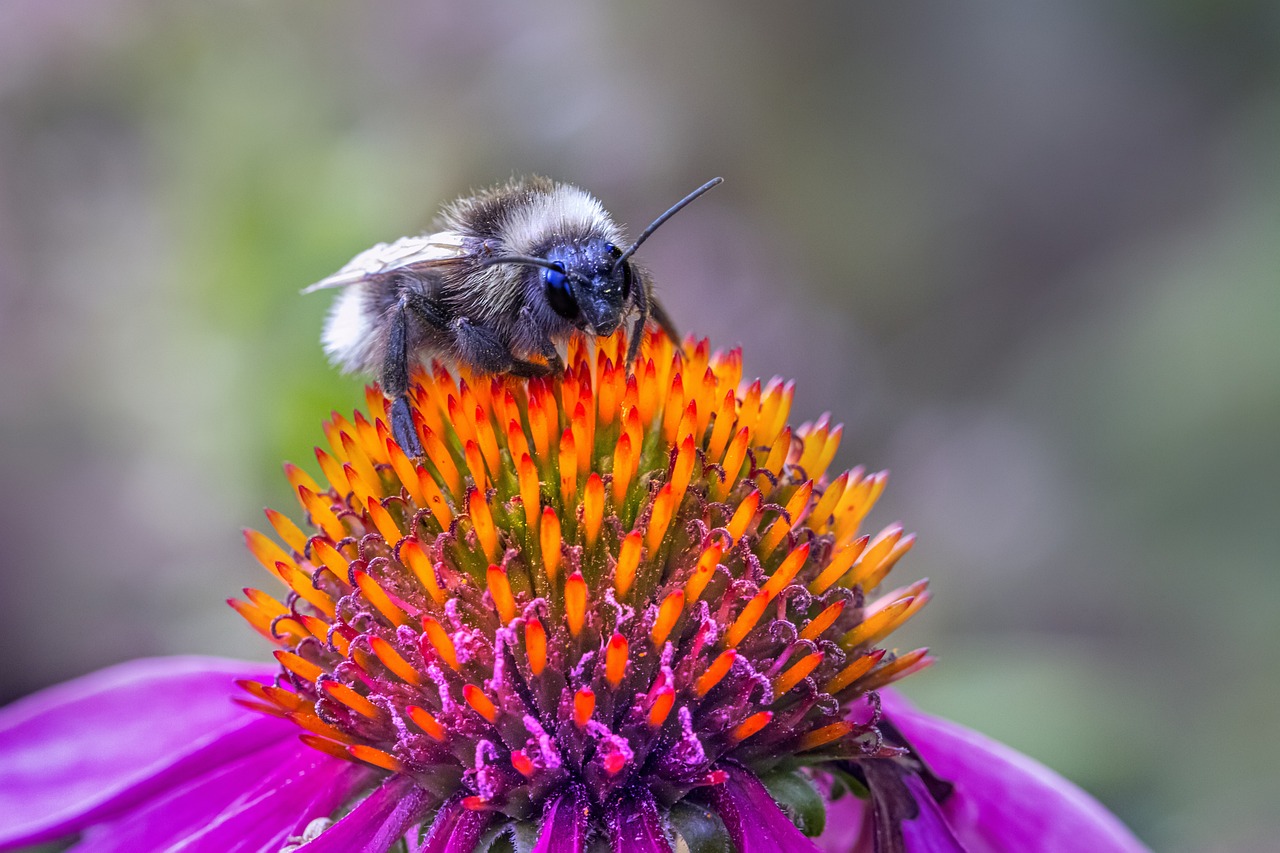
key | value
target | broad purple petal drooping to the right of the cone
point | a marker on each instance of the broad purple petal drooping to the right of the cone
(1004, 801)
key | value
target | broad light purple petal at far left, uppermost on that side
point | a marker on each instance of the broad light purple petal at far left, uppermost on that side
(88, 750)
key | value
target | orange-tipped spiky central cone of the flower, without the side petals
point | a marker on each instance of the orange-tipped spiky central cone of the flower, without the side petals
(618, 606)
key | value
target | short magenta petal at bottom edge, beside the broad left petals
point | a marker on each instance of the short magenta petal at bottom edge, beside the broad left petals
(380, 820)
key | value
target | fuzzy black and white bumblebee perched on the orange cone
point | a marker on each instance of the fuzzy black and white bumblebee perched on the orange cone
(510, 273)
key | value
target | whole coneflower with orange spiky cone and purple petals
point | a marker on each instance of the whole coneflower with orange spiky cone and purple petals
(616, 609)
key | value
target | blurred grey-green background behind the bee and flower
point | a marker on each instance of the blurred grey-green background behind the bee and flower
(1028, 253)
